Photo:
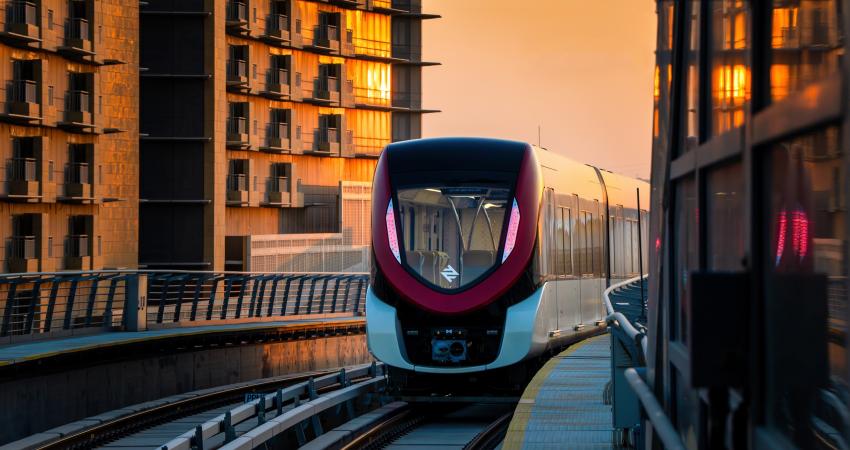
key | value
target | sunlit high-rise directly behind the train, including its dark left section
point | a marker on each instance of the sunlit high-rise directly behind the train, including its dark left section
(261, 123)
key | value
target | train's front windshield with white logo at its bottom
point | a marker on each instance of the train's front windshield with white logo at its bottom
(451, 234)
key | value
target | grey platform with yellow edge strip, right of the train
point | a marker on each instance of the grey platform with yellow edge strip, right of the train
(565, 404)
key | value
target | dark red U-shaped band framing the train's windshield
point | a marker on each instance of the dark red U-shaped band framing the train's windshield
(528, 195)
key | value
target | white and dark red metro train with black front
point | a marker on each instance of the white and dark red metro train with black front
(488, 256)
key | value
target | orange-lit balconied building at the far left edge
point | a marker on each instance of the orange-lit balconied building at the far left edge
(68, 135)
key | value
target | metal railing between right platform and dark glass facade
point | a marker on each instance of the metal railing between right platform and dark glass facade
(629, 354)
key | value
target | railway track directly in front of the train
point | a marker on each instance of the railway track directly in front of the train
(476, 426)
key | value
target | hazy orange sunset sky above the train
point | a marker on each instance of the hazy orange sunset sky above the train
(580, 69)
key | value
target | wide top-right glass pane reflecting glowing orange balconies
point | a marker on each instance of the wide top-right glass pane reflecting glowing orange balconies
(806, 44)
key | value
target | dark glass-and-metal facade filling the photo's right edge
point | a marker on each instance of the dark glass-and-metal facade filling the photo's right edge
(749, 197)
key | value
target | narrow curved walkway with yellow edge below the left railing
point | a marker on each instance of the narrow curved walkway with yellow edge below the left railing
(40, 350)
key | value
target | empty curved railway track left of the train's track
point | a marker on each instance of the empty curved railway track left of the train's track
(208, 403)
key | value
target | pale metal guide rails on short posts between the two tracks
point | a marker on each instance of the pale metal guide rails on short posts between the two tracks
(284, 420)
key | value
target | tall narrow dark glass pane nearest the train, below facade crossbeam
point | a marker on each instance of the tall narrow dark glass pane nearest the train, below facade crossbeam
(686, 253)
